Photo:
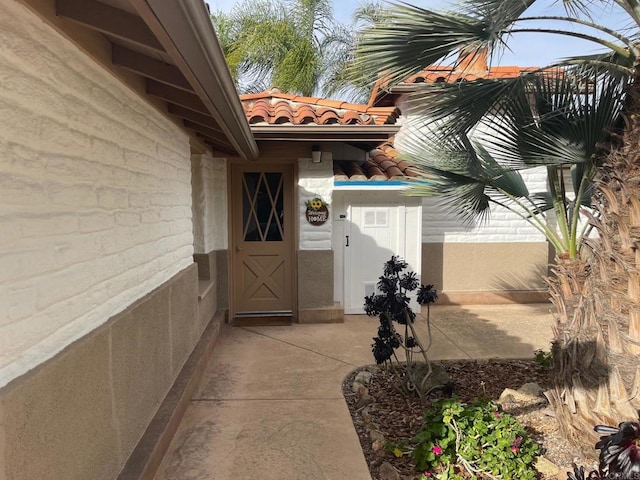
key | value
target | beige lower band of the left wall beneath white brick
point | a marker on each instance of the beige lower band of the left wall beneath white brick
(79, 415)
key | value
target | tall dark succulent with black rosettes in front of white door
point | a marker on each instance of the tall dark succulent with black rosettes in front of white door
(391, 306)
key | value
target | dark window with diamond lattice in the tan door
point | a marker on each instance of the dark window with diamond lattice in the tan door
(262, 207)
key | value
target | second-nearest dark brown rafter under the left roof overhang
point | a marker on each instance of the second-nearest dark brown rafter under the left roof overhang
(149, 67)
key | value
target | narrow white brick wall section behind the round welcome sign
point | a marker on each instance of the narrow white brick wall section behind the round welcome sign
(315, 180)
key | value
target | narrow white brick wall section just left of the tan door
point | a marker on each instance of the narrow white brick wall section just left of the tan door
(209, 179)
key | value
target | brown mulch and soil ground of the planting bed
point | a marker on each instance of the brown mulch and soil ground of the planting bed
(398, 417)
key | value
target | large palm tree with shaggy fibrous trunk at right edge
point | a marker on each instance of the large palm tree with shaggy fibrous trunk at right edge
(596, 289)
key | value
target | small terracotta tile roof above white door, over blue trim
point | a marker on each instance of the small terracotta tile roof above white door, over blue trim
(382, 165)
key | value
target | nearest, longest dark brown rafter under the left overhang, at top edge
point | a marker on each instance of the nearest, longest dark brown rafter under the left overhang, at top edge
(109, 20)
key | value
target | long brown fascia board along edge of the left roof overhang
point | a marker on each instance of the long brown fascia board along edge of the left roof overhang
(188, 36)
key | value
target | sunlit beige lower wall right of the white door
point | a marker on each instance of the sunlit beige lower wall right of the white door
(486, 272)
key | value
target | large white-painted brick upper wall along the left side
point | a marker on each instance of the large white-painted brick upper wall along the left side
(95, 194)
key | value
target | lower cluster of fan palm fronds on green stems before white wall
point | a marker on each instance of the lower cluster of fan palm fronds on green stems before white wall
(548, 119)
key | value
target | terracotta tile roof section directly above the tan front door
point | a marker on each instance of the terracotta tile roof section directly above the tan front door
(274, 107)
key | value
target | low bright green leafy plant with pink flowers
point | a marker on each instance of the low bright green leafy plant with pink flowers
(478, 440)
